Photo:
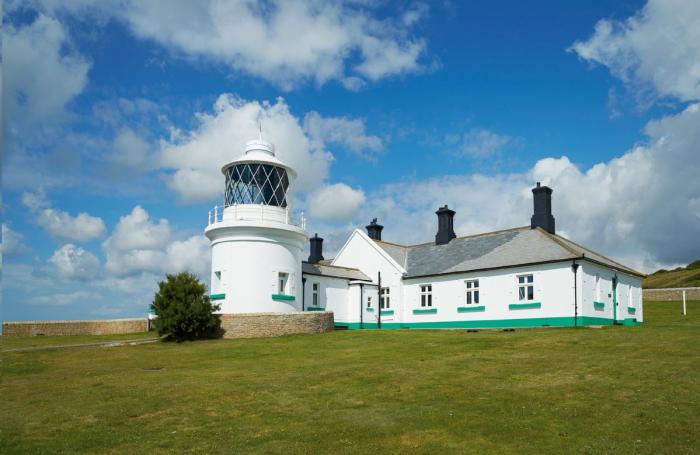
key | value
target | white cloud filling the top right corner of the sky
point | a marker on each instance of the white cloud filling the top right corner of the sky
(658, 48)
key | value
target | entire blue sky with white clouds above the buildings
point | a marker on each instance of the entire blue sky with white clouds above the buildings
(118, 115)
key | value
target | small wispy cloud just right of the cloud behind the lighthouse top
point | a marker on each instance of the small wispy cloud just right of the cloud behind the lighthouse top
(344, 131)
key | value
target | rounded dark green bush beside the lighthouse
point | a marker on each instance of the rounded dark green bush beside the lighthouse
(183, 310)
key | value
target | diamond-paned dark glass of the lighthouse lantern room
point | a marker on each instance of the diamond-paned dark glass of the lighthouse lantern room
(256, 183)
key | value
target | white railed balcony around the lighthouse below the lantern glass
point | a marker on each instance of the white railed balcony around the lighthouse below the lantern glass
(256, 213)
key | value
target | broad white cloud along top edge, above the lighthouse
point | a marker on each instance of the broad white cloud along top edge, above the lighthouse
(286, 43)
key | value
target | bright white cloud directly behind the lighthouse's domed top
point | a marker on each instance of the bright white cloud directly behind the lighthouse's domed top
(220, 137)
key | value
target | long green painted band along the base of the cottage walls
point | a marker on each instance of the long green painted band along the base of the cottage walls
(491, 324)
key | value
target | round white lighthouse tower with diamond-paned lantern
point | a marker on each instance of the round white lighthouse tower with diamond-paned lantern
(256, 246)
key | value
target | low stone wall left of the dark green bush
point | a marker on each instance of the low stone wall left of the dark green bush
(60, 328)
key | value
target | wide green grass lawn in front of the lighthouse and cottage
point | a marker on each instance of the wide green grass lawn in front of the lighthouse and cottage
(609, 390)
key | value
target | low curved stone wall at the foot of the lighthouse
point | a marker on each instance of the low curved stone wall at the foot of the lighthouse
(254, 325)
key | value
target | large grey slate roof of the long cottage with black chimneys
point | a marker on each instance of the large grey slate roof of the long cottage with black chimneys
(512, 247)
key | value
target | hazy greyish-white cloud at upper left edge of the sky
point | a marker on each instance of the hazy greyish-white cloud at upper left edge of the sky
(39, 76)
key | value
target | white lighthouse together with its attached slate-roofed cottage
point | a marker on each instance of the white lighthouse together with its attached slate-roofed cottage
(522, 277)
